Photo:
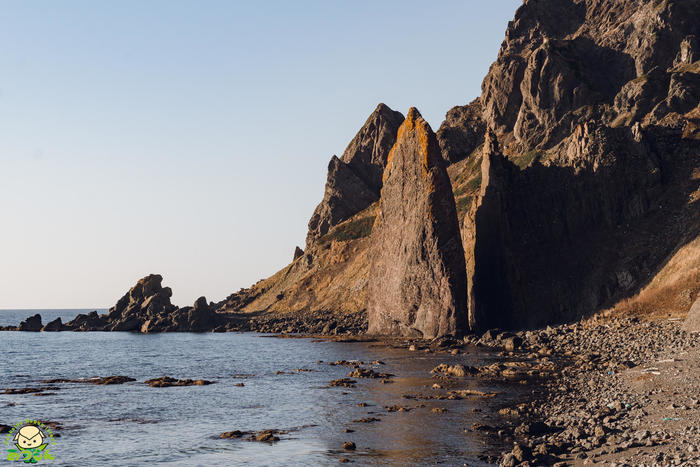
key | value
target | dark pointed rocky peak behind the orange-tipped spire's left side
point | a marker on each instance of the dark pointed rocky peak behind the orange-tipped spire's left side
(355, 179)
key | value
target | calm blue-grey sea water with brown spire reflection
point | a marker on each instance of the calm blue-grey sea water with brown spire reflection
(134, 424)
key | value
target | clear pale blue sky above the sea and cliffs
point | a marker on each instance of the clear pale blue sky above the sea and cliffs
(191, 138)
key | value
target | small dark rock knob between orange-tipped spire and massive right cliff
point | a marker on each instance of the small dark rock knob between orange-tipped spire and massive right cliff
(462, 131)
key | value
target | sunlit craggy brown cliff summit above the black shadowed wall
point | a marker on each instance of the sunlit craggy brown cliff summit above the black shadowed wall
(565, 60)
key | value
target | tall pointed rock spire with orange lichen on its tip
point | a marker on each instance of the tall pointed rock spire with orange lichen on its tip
(417, 275)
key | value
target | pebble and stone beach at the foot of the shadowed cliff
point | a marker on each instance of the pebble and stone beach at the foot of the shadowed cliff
(621, 392)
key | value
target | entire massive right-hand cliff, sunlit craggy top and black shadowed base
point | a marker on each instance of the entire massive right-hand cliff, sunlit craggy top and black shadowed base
(592, 102)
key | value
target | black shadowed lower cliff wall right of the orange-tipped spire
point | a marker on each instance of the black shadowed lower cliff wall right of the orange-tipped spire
(585, 236)
